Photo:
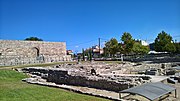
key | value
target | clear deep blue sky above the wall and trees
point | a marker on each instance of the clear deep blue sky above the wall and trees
(80, 23)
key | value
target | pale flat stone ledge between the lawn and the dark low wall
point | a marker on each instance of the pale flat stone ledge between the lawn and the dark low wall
(84, 90)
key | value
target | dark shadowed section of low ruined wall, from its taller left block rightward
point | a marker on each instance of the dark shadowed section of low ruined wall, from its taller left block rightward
(61, 77)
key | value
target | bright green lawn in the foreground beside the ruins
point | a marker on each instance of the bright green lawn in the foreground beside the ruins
(13, 89)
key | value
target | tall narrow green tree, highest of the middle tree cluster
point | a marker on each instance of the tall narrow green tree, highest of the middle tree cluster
(128, 42)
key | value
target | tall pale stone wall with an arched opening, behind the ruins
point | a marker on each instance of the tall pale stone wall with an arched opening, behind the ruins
(13, 52)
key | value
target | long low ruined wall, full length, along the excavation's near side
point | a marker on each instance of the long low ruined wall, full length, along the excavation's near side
(79, 78)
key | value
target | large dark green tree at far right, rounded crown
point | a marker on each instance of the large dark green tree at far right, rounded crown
(163, 43)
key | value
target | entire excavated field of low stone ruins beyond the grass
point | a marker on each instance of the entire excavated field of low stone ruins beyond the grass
(99, 78)
